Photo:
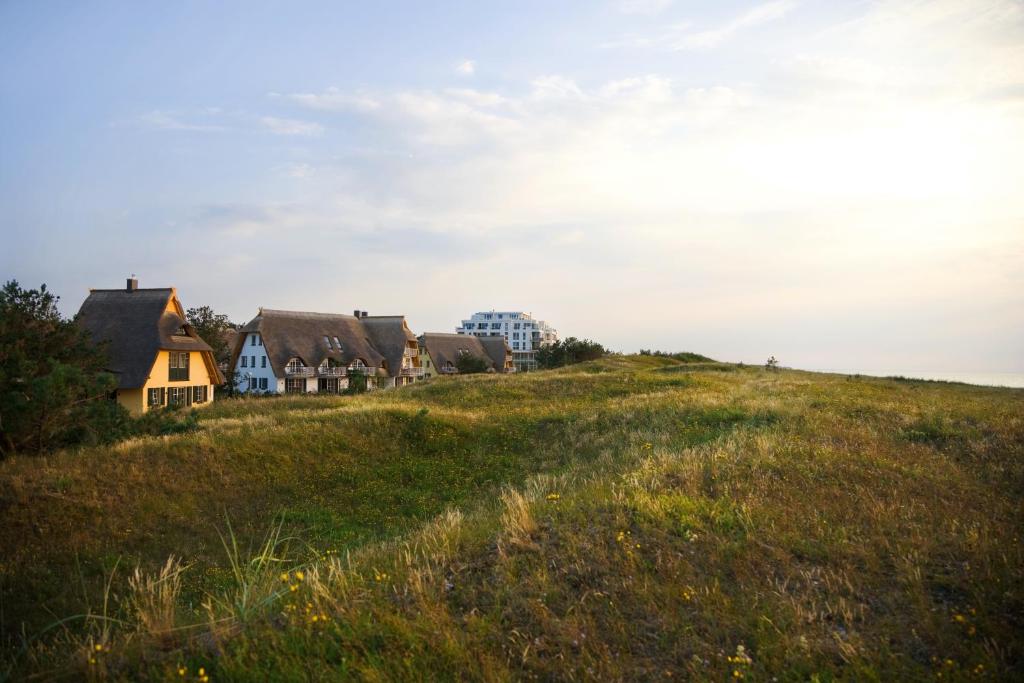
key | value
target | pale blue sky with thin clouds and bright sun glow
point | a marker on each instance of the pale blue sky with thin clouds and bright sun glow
(836, 184)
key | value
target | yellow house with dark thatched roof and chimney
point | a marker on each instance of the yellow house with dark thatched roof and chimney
(157, 358)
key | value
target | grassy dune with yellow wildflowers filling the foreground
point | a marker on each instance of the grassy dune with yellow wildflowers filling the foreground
(631, 519)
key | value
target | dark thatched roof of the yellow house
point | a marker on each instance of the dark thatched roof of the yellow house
(137, 326)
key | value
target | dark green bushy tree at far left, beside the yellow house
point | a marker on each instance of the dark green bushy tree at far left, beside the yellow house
(55, 391)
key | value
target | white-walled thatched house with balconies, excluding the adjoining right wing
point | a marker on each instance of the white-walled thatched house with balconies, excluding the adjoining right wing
(288, 352)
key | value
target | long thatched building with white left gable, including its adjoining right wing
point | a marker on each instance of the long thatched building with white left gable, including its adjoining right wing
(287, 352)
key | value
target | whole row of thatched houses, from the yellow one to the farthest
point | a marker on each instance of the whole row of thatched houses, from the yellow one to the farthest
(159, 359)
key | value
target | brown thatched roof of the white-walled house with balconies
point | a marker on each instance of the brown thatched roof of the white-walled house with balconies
(289, 334)
